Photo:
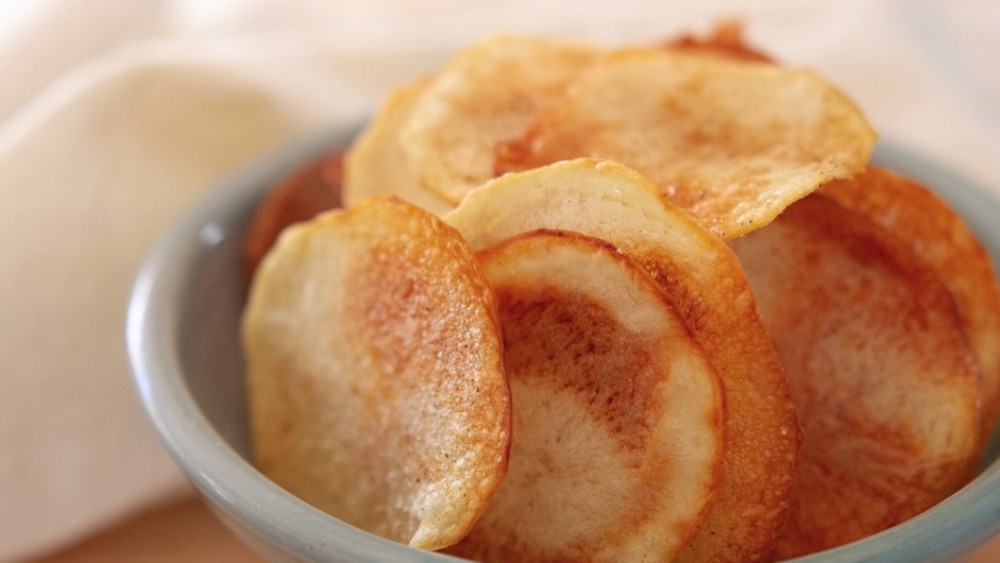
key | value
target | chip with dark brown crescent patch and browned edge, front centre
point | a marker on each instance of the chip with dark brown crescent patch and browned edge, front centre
(618, 416)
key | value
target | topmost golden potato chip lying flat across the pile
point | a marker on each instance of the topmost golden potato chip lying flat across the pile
(733, 142)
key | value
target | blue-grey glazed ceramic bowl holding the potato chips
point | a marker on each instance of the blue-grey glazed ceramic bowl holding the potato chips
(183, 343)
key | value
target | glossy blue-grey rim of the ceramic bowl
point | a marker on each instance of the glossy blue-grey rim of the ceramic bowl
(966, 519)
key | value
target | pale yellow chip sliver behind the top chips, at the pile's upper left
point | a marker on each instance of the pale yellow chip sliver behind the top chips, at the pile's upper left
(376, 165)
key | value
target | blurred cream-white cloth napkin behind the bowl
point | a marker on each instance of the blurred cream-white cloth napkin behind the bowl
(115, 115)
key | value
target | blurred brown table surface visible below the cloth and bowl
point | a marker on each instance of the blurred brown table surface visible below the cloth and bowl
(188, 531)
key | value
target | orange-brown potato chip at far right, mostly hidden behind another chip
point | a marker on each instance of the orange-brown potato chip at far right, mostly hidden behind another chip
(942, 239)
